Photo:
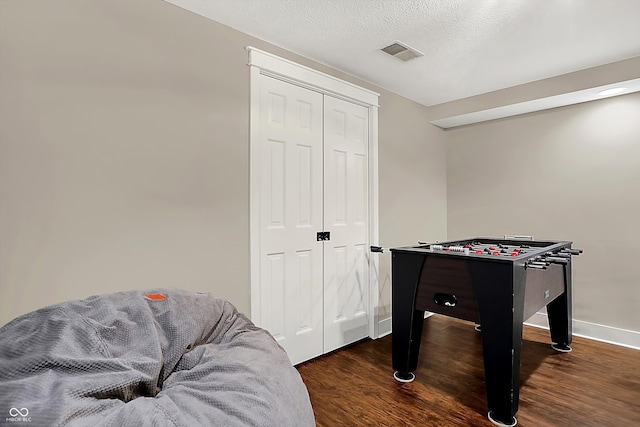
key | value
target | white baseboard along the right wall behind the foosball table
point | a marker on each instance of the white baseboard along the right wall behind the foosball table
(594, 331)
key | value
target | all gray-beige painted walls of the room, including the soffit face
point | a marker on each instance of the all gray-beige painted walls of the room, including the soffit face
(124, 163)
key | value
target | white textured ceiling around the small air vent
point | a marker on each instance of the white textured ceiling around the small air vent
(470, 46)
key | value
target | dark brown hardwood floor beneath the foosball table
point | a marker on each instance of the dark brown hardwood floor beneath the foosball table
(597, 384)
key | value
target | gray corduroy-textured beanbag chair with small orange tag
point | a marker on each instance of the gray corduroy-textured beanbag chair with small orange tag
(177, 359)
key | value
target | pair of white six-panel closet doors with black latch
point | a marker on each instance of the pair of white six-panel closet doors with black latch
(313, 177)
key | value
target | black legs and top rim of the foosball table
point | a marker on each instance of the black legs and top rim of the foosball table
(499, 286)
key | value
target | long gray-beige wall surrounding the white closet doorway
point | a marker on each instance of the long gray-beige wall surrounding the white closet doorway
(124, 159)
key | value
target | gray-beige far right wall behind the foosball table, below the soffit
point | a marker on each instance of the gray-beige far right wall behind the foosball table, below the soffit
(570, 173)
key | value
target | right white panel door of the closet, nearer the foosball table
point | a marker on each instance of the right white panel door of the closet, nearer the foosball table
(346, 270)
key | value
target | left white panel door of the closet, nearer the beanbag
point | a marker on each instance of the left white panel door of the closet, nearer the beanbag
(290, 215)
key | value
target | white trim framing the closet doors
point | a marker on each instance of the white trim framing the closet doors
(265, 63)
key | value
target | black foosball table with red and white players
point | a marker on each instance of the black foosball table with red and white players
(496, 283)
